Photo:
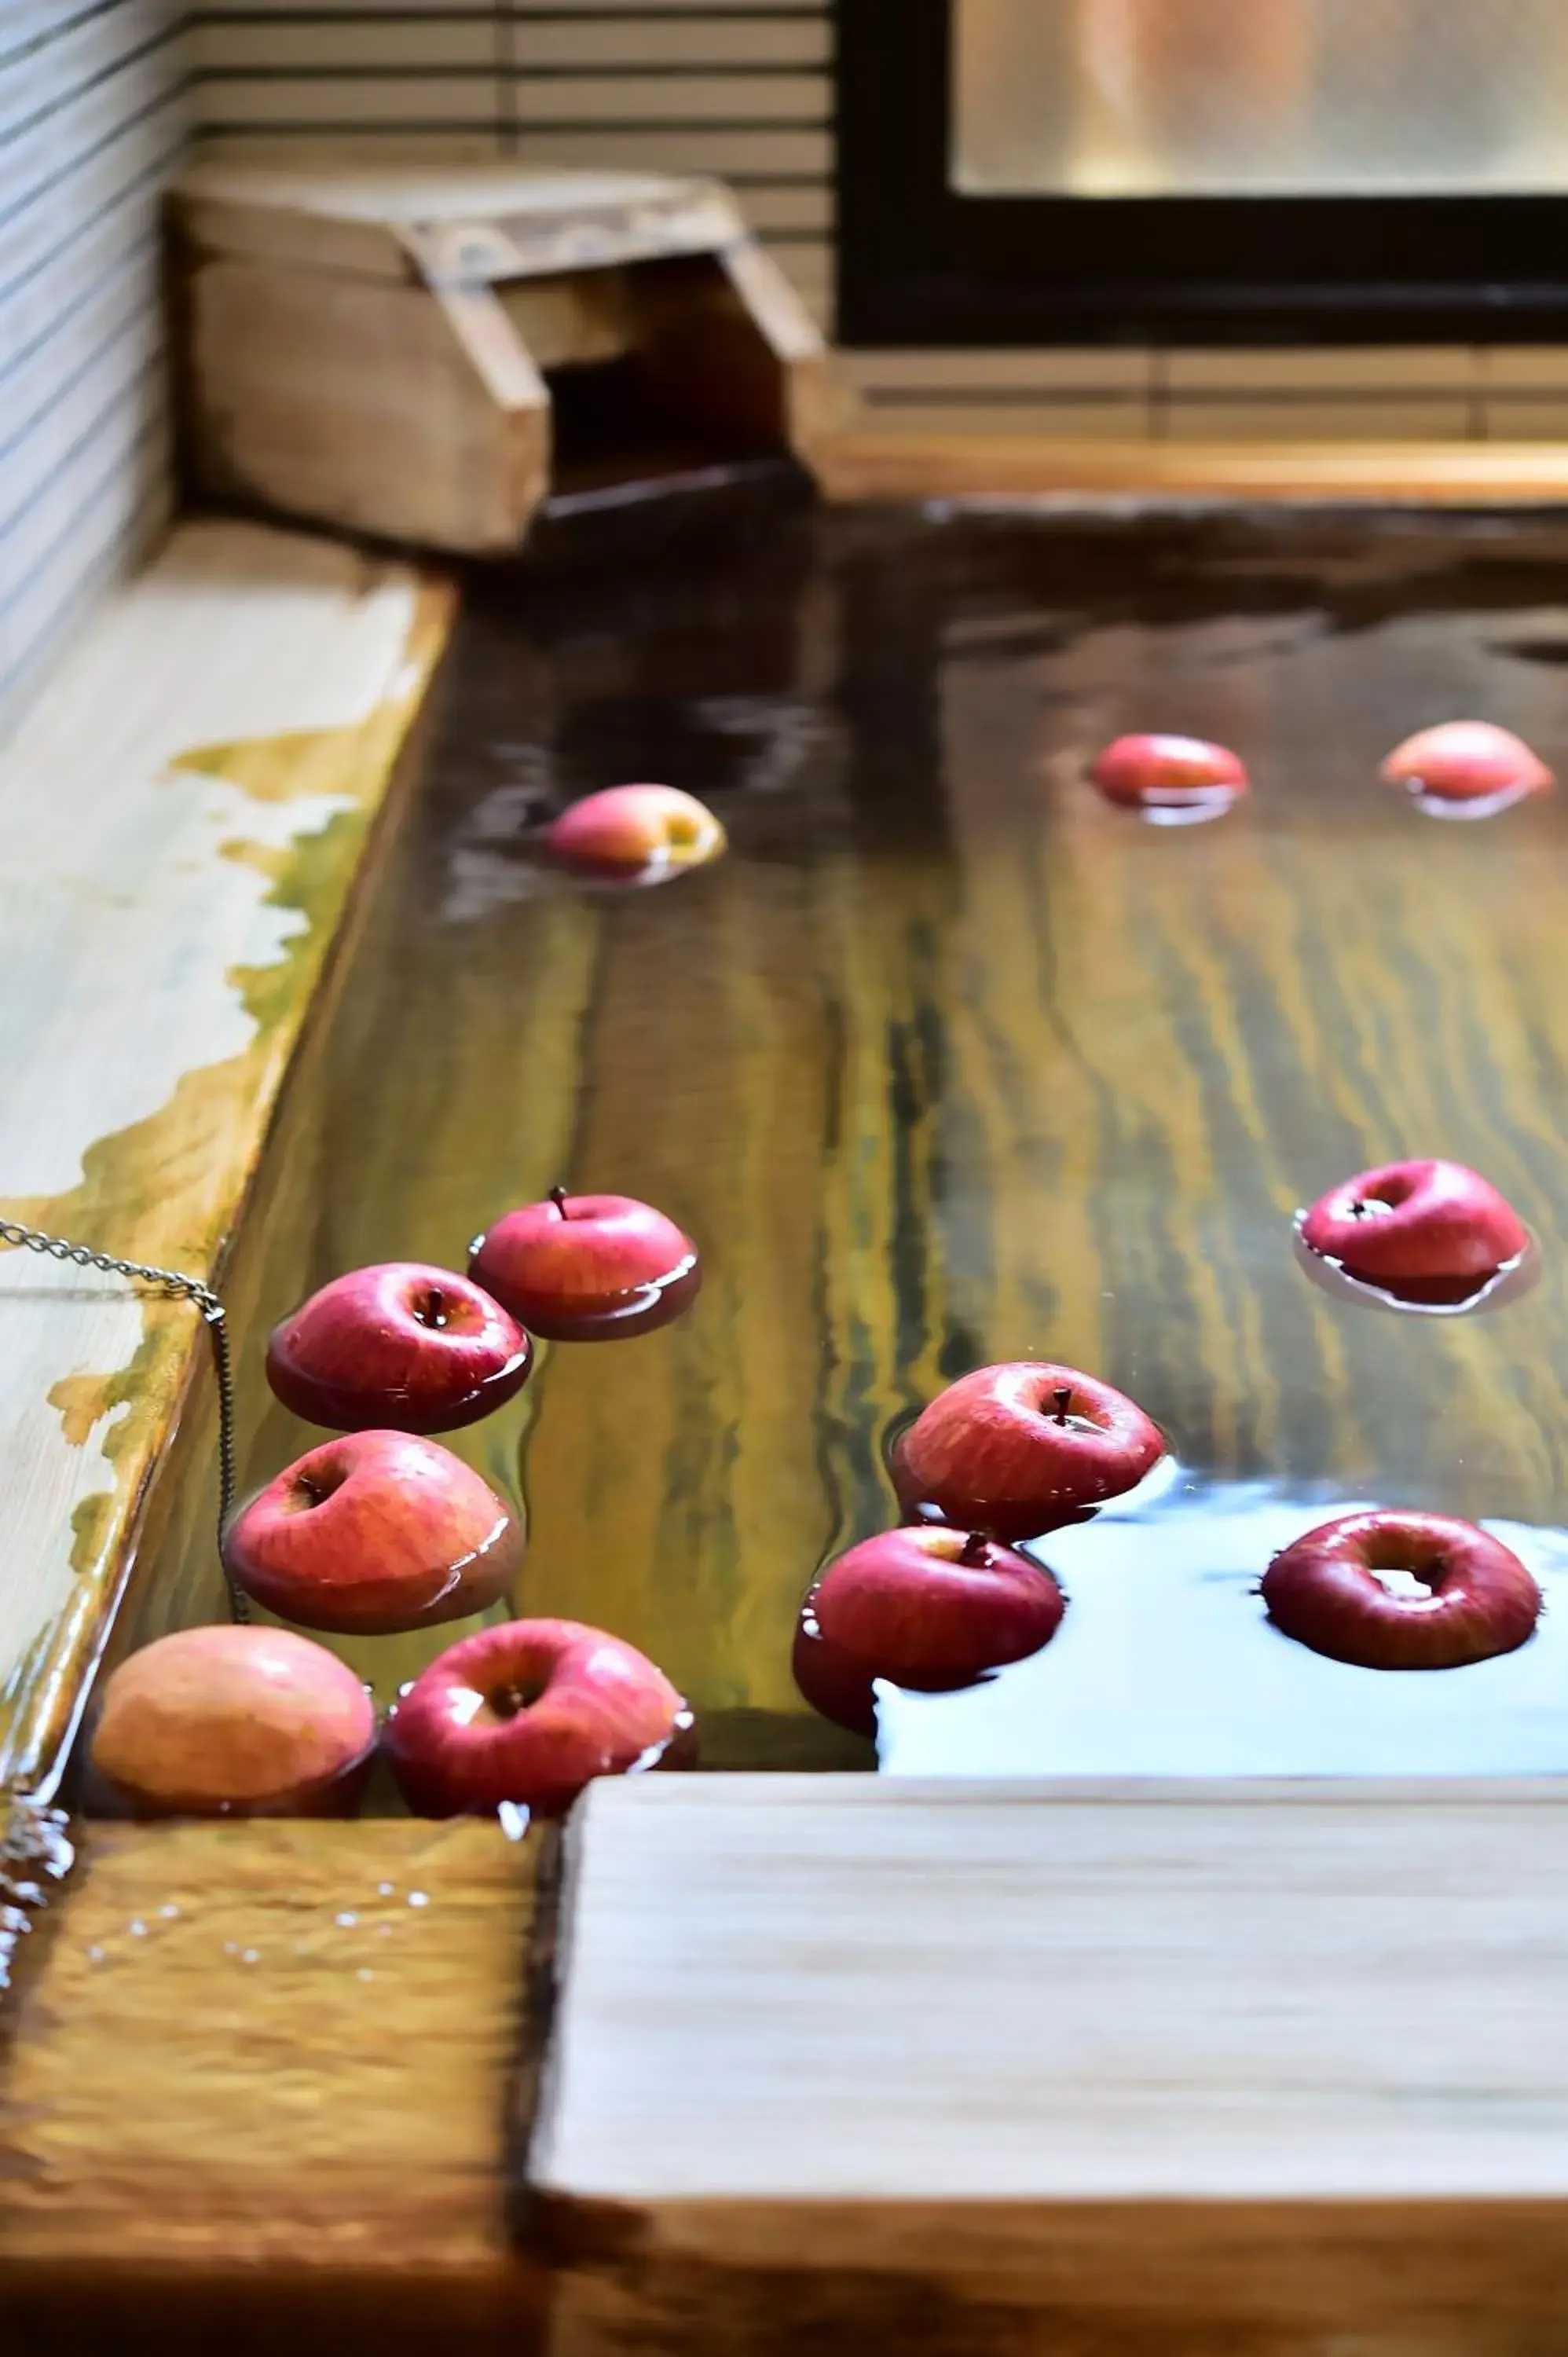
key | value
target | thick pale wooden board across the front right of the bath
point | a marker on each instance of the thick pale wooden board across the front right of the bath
(1039, 2068)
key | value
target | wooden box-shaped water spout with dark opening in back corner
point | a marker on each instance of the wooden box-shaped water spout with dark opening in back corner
(428, 355)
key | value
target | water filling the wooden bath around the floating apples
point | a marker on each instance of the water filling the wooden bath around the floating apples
(951, 1062)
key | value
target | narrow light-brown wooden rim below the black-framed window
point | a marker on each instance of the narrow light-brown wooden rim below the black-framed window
(890, 466)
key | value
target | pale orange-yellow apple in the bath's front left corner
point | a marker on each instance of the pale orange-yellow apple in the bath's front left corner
(235, 1722)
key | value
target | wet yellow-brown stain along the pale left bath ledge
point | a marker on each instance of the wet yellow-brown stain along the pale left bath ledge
(169, 1189)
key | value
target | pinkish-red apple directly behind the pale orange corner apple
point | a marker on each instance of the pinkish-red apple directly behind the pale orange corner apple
(376, 1533)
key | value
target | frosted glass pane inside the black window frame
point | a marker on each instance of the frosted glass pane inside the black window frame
(1260, 98)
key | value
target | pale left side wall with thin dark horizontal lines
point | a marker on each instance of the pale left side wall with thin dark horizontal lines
(93, 114)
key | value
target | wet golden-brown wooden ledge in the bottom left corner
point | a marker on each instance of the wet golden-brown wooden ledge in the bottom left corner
(265, 2066)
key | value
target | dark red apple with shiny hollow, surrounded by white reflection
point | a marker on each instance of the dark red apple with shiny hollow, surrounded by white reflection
(1473, 1599)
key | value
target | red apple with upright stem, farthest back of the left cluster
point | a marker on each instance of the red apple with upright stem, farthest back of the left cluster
(588, 1267)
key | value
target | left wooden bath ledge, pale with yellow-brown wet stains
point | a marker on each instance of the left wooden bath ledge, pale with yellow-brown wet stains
(183, 826)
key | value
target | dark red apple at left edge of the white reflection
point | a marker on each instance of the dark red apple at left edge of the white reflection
(925, 1609)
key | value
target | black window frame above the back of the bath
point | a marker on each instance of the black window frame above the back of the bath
(923, 263)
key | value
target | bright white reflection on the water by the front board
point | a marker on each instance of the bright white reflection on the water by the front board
(1166, 1665)
